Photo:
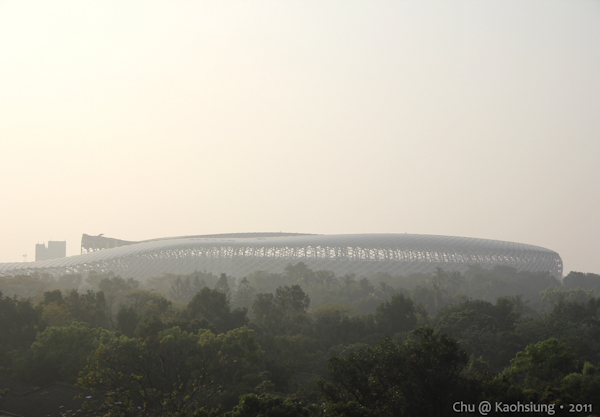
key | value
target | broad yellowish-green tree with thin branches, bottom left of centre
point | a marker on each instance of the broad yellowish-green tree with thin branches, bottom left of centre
(175, 372)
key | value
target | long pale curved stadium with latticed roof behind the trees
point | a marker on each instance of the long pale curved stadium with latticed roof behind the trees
(239, 254)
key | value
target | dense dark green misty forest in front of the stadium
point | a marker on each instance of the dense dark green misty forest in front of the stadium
(309, 343)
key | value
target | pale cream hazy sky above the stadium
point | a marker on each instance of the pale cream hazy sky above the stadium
(147, 119)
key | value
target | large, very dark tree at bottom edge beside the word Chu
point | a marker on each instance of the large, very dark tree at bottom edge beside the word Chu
(419, 378)
